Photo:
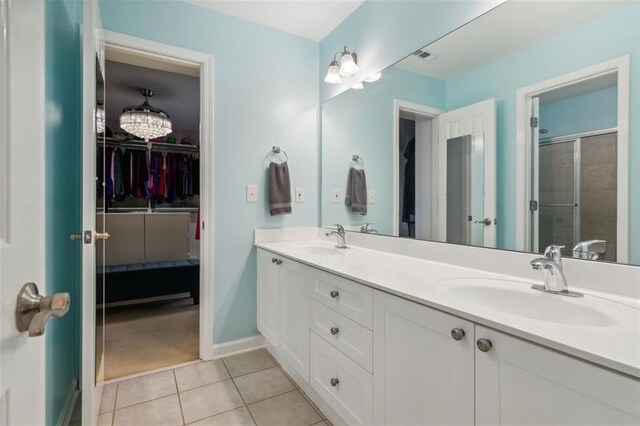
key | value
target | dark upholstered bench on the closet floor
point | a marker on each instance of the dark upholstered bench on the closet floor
(153, 279)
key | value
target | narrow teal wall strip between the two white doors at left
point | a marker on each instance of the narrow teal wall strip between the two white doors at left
(62, 157)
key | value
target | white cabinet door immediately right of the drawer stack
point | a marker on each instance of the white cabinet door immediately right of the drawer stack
(422, 375)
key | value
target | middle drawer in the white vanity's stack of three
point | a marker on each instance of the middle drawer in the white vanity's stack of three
(347, 336)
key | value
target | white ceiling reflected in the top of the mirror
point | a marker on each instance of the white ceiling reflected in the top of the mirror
(512, 26)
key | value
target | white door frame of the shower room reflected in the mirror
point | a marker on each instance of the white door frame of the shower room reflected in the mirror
(619, 65)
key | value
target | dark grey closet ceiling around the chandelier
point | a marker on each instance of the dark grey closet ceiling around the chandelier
(175, 93)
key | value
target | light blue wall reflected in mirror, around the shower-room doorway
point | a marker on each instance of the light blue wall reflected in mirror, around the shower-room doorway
(612, 36)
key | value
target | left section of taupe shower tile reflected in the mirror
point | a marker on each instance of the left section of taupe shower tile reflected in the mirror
(556, 187)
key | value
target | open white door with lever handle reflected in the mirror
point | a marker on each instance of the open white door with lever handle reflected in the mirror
(477, 121)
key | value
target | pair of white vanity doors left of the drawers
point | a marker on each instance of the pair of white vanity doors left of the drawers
(283, 308)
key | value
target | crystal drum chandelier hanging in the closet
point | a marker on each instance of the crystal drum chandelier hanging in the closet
(145, 121)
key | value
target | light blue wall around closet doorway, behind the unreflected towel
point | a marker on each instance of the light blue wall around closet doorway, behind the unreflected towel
(265, 93)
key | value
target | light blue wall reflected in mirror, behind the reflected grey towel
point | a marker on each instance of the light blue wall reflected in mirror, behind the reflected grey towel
(361, 122)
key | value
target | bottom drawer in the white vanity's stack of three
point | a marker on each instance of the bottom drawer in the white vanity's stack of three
(351, 393)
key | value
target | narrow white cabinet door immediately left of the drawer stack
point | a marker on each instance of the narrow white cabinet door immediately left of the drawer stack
(294, 299)
